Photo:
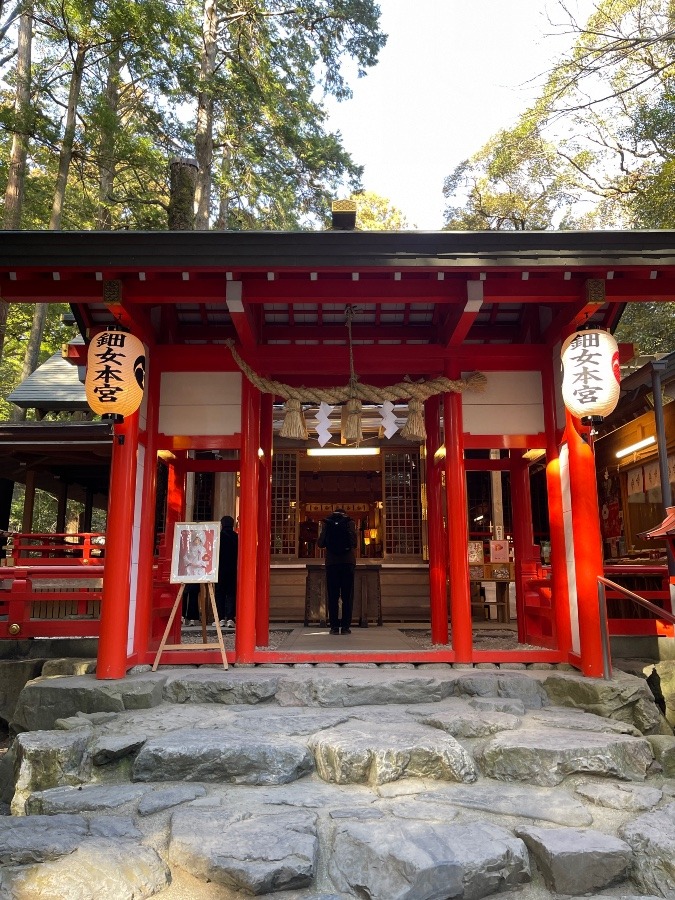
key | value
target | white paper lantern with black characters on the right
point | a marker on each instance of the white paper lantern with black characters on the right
(591, 374)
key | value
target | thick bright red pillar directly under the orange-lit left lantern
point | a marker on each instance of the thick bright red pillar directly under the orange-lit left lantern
(112, 644)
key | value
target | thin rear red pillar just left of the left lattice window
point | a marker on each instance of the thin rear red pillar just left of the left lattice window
(262, 624)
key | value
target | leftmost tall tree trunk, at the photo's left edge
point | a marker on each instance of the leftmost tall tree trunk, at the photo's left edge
(17, 160)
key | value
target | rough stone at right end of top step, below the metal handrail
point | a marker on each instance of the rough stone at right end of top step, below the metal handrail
(625, 698)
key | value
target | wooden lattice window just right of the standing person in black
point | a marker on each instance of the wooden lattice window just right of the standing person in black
(402, 506)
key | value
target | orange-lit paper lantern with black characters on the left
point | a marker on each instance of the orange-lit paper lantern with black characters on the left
(115, 373)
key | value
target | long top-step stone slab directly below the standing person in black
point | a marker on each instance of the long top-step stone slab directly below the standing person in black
(355, 690)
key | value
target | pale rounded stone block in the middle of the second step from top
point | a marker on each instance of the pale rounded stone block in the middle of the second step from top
(355, 754)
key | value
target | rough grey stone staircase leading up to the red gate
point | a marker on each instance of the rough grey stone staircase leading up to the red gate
(322, 782)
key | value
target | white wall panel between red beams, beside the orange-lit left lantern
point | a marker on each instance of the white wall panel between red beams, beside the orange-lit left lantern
(196, 403)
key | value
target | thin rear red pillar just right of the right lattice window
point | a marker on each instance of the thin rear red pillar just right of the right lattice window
(437, 556)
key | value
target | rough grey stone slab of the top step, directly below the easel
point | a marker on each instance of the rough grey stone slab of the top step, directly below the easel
(217, 686)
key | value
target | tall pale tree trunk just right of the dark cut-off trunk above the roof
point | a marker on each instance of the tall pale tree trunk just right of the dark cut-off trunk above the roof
(204, 129)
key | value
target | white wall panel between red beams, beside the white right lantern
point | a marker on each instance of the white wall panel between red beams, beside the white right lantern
(511, 404)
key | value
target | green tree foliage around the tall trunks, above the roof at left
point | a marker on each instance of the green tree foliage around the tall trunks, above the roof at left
(277, 164)
